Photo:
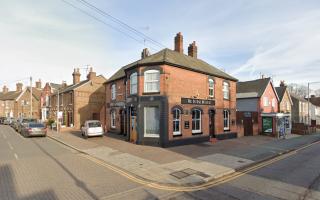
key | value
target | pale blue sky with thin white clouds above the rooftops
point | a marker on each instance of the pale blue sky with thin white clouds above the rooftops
(48, 39)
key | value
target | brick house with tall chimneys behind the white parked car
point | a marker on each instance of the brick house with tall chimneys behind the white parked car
(79, 101)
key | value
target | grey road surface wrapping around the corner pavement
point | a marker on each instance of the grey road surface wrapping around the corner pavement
(40, 168)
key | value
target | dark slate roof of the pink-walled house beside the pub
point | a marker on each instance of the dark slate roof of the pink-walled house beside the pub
(252, 89)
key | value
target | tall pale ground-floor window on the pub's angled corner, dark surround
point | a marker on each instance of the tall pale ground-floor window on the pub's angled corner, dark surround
(151, 122)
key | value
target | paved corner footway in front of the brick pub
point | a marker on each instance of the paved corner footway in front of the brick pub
(187, 165)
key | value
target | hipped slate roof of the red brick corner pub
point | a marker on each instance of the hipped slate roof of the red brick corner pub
(173, 58)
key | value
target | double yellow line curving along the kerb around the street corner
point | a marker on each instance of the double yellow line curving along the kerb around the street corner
(203, 186)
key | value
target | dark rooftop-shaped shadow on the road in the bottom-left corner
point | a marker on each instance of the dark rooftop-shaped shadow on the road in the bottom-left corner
(8, 190)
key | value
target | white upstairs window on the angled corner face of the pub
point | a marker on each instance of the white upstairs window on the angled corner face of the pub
(151, 81)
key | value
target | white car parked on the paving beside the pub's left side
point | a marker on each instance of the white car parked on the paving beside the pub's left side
(92, 128)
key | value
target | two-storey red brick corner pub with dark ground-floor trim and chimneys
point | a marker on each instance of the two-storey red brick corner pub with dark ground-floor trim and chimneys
(170, 98)
